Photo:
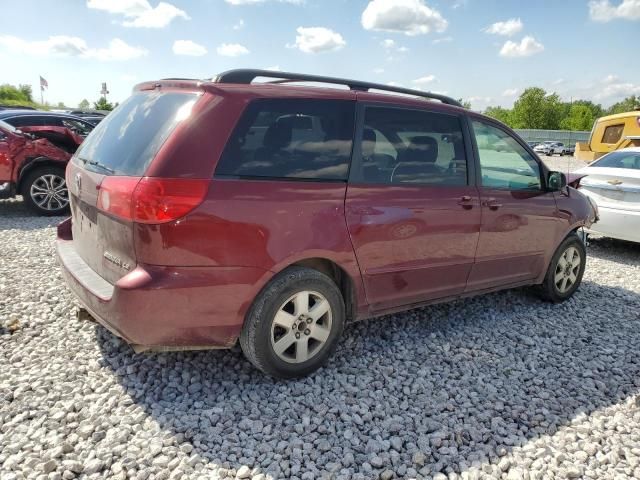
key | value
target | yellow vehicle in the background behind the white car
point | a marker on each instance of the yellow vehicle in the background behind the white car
(610, 133)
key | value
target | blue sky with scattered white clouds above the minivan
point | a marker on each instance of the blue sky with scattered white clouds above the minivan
(484, 51)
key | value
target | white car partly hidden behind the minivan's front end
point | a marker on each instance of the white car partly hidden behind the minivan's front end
(613, 182)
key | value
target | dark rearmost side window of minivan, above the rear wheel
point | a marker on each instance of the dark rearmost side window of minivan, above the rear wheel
(291, 139)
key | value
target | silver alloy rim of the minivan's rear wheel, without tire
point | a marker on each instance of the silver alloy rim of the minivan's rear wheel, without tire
(301, 327)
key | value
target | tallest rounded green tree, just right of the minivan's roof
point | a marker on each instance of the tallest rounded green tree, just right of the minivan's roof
(536, 109)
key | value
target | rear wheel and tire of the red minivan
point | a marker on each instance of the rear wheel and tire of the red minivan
(294, 324)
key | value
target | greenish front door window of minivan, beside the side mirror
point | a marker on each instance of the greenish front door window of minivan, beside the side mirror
(504, 163)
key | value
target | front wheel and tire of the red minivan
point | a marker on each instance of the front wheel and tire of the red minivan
(565, 271)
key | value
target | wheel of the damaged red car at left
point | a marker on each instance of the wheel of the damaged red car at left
(45, 191)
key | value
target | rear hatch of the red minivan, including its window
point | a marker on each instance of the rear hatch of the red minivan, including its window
(107, 184)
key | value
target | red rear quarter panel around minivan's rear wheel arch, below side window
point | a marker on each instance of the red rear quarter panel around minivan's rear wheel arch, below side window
(257, 223)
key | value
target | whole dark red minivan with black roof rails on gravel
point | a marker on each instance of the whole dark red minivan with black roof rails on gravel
(204, 212)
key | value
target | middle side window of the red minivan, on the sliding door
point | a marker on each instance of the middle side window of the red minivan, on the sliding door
(403, 146)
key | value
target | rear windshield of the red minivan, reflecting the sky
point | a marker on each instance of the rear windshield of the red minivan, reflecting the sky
(125, 142)
